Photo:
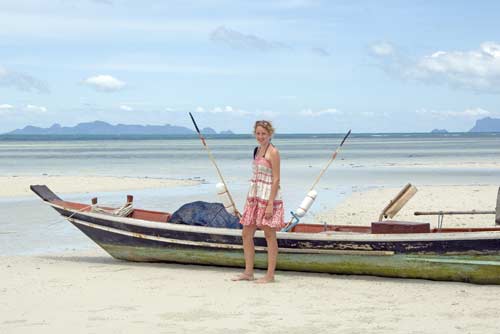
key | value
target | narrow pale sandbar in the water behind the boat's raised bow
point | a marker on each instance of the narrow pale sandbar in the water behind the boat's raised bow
(14, 186)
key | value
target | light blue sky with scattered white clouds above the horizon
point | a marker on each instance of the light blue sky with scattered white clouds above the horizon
(309, 66)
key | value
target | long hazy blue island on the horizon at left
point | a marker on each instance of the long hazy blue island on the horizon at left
(103, 128)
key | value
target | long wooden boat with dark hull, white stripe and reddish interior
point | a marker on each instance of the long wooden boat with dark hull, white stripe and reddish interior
(388, 248)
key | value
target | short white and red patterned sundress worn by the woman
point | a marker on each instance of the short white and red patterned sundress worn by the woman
(258, 196)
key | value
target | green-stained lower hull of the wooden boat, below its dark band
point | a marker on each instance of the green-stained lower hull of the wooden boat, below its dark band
(471, 267)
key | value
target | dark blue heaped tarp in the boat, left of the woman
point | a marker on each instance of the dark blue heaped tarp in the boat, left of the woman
(205, 214)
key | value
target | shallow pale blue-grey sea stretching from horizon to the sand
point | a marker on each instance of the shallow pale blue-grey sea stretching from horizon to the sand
(365, 161)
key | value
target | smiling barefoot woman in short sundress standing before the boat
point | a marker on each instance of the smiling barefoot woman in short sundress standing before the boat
(263, 207)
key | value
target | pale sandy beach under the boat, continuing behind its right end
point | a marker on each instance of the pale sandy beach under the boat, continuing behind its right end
(90, 292)
